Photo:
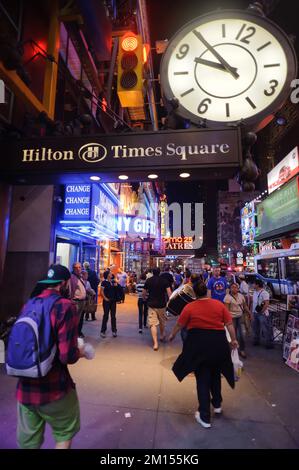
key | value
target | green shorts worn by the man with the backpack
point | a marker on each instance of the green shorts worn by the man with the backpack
(63, 416)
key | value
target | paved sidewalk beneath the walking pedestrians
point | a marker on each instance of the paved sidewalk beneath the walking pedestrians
(130, 398)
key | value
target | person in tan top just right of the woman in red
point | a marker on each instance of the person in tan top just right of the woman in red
(236, 304)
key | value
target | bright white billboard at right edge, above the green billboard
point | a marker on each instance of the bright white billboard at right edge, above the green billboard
(284, 171)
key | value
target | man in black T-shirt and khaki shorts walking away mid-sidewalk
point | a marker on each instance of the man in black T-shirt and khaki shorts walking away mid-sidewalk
(158, 291)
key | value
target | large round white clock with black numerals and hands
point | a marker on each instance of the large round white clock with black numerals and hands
(227, 66)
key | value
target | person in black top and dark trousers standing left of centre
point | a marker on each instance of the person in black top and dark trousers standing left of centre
(109, 294)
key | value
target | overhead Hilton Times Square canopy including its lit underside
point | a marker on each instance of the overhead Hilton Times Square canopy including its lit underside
(204, 153)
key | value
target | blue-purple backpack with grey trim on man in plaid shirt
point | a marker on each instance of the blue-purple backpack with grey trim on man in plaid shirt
(32, 345)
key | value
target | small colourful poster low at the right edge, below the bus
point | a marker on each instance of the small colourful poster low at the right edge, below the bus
(291, 343)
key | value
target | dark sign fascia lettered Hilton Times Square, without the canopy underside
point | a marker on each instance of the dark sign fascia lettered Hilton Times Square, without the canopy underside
(135, 151)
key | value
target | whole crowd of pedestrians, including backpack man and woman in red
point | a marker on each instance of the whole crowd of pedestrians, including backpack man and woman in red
(214, 314)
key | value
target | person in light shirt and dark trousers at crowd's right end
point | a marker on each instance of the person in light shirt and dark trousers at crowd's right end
(262, 321)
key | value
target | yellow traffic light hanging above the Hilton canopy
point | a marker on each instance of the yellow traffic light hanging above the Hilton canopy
(130, 71)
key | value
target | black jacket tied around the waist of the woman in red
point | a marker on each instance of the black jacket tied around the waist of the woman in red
(205, 346)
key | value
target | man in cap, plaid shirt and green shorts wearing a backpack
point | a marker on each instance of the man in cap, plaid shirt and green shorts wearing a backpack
(48, 324)
